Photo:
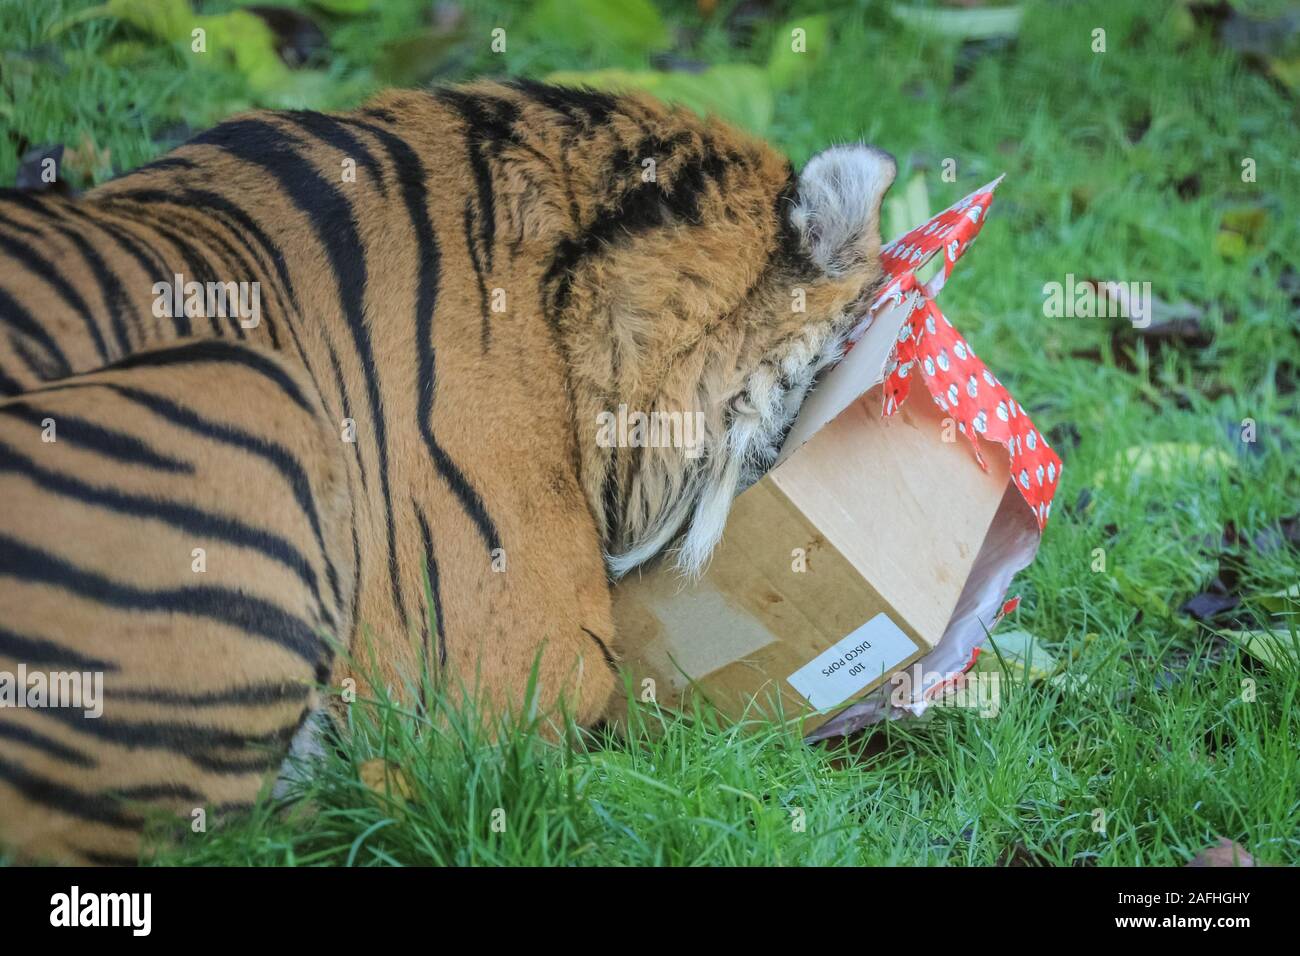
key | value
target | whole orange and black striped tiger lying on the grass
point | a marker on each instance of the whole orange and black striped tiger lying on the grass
(209, 509)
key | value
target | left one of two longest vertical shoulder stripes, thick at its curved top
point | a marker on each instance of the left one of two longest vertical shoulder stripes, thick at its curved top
(262, 145)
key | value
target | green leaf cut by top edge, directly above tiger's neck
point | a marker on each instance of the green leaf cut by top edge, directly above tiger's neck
(631, 28)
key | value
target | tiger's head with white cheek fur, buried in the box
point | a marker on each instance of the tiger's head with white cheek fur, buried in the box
(707, 330)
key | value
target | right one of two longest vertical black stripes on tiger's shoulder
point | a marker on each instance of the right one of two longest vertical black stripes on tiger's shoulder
(411, 175)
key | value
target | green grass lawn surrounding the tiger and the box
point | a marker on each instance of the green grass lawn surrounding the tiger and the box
(1120, 166)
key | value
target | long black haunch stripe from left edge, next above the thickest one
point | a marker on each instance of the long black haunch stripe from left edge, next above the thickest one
(181, 517)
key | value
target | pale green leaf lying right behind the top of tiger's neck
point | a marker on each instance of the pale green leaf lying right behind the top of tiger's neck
(734, 92)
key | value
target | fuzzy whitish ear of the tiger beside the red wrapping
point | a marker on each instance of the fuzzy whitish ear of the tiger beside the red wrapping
(838, 207)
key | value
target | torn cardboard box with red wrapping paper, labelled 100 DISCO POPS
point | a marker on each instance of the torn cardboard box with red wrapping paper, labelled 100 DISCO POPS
(874, 544)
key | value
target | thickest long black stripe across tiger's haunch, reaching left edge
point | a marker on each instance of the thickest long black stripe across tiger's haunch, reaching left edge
(232, 608)
